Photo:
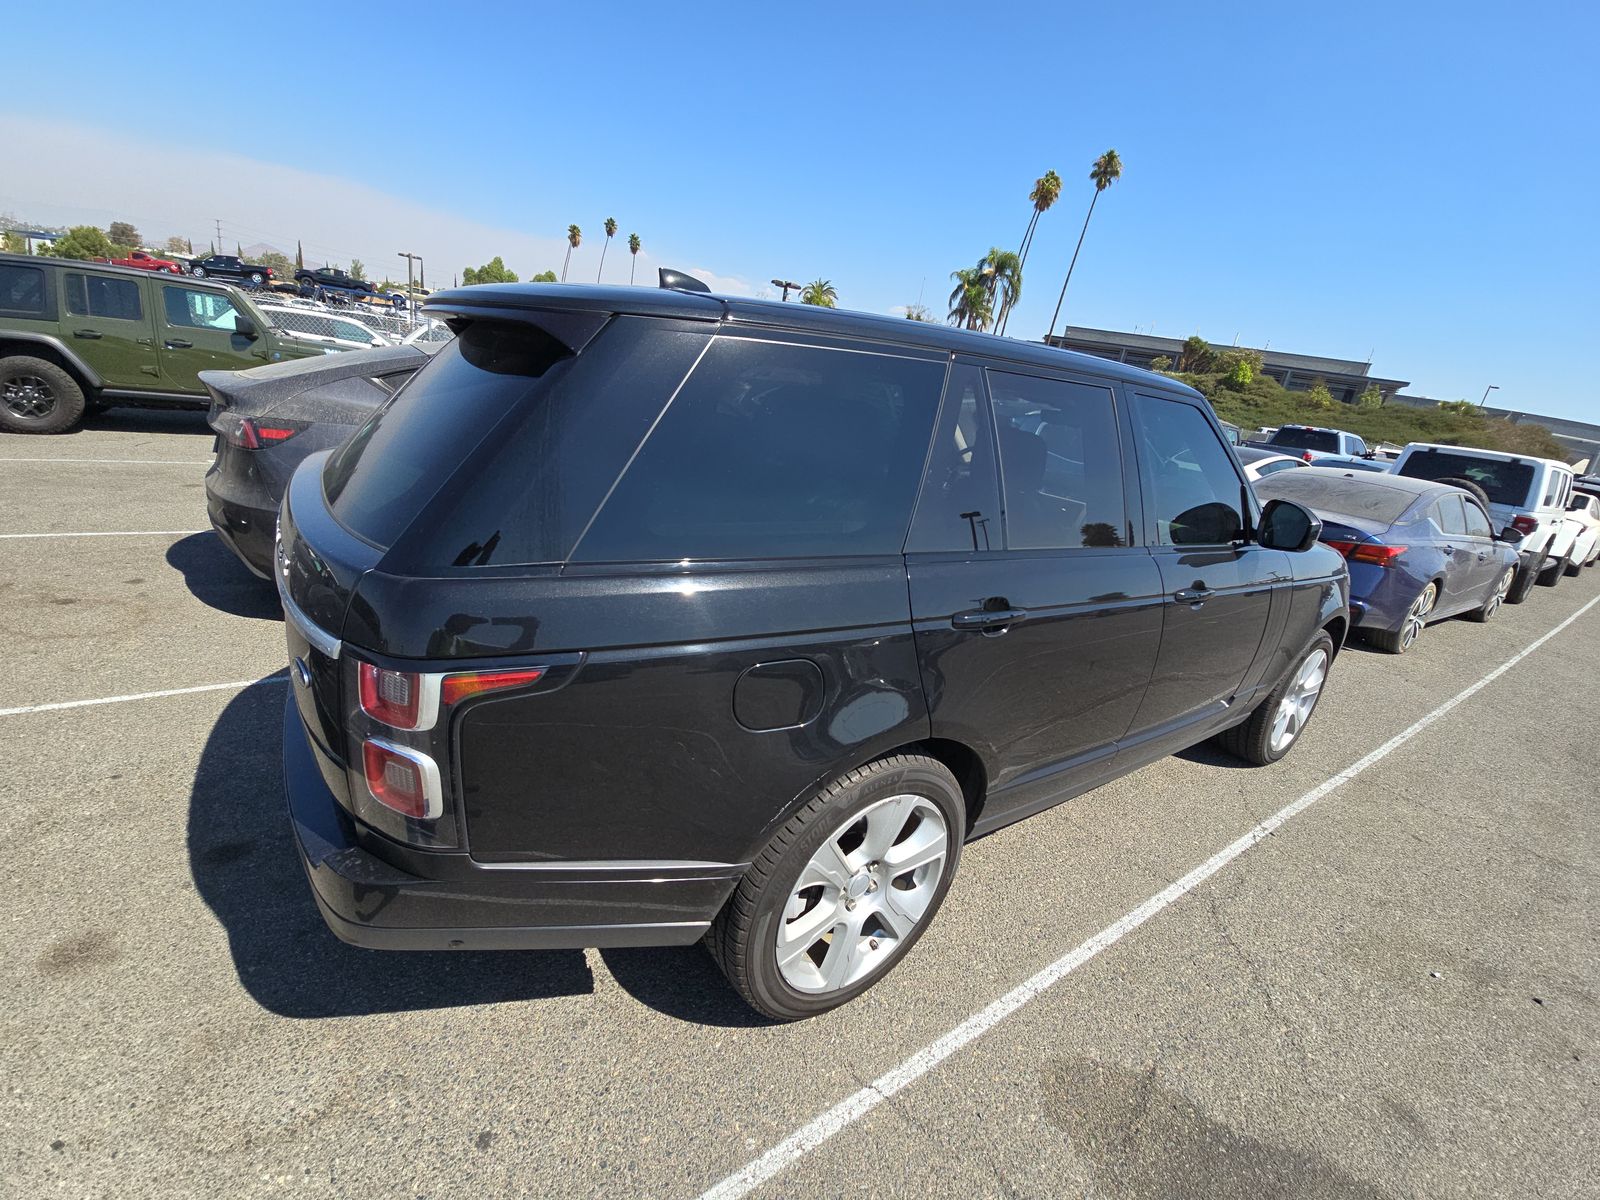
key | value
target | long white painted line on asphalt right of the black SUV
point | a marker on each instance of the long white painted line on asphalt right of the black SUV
(812, 1135)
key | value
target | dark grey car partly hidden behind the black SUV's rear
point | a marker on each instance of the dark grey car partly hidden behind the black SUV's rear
(271, 418)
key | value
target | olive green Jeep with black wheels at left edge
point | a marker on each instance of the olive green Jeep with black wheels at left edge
(81, 337)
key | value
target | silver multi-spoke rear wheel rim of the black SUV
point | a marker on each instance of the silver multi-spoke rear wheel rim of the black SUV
(863, 894)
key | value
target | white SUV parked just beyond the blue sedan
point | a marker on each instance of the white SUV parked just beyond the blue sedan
(1529, 495)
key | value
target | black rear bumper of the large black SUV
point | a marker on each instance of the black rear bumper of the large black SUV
(450, 903)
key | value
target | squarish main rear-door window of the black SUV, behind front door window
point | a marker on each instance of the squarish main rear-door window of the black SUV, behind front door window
(1060, 462)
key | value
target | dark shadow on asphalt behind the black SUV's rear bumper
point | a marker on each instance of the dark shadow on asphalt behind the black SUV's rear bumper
(246, 868)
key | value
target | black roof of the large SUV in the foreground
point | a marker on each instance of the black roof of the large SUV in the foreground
(508, 298)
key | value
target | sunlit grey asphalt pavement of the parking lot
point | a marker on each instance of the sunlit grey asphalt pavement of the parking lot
(1393, 993)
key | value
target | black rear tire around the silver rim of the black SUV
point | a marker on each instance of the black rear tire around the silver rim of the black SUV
(743, 940)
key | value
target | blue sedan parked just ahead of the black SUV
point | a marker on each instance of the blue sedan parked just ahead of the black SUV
(1418, 551)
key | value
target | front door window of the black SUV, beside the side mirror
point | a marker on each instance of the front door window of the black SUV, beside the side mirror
(1194, 489)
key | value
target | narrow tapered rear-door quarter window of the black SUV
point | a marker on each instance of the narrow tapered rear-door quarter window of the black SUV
(961, 497)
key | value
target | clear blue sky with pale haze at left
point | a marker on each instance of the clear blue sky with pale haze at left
(1415, 183)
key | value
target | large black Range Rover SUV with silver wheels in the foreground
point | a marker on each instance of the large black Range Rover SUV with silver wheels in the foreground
(647, 617)
